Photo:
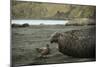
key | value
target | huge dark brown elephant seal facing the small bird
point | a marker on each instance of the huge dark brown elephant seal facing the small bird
(76, 43)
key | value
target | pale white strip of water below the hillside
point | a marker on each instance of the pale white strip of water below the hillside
(38, 22)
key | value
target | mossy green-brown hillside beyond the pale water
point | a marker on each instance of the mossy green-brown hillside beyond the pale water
(36, 10)
